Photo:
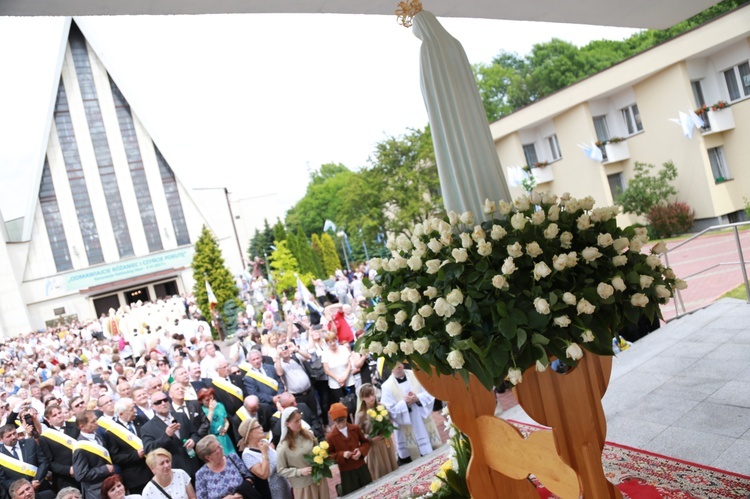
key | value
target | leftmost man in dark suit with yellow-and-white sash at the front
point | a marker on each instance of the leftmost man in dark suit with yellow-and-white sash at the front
(19, 455)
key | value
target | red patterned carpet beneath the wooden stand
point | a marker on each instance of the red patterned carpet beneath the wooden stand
(638, 474)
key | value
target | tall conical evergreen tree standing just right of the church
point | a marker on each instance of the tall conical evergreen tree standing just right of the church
(208, 265)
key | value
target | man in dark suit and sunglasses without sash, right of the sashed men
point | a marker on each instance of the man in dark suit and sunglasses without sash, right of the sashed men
(173, 432)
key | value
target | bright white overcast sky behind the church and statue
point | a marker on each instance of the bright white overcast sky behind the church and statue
(251, 102)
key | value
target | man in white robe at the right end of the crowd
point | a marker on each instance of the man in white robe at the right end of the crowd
(417, 434)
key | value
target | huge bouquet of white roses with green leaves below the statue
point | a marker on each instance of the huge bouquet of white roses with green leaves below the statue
(495, 298)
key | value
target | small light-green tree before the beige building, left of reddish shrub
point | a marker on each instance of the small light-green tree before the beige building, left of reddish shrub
(644, 190)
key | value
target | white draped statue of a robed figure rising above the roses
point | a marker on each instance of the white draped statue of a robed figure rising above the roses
(467, 161)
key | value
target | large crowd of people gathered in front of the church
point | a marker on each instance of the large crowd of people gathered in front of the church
(142, 403)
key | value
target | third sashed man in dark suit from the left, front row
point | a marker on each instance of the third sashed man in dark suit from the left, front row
(91, 460)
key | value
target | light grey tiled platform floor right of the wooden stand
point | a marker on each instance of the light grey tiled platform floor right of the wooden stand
(684, 390)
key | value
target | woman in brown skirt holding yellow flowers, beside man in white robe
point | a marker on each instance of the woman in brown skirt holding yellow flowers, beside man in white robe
(382, 457)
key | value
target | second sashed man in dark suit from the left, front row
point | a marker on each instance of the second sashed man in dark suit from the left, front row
(57, 446)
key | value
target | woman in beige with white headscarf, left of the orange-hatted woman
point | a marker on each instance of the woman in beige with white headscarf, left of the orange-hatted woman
(295, 444)
